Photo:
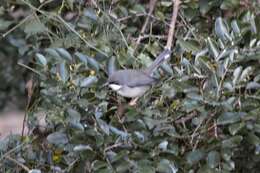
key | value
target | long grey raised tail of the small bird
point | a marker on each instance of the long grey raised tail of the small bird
(157, 62)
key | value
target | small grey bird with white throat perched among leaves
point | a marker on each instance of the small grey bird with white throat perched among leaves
(134, 83)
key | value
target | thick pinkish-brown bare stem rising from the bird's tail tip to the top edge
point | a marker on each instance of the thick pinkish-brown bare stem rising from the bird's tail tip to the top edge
(173, 22)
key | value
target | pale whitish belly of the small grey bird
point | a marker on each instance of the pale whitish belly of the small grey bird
(133, 91)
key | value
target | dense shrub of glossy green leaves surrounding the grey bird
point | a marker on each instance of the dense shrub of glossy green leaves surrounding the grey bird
(202, 117)
